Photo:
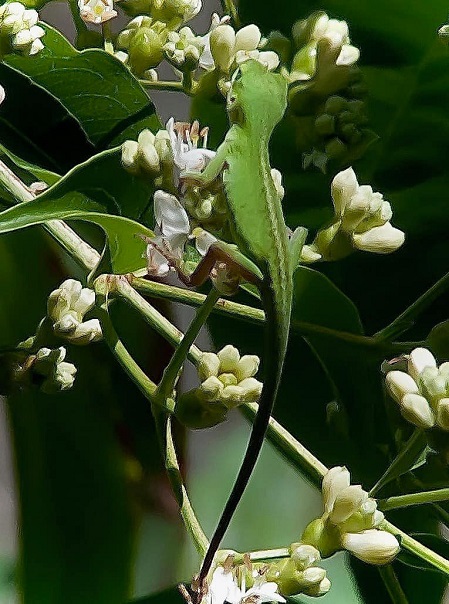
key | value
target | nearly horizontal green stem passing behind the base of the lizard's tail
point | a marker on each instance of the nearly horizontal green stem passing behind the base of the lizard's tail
(256, 315)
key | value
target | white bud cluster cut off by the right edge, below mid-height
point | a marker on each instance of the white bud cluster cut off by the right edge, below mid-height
(423, 391)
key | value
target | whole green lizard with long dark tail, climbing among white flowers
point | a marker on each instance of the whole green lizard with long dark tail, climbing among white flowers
(256, 103)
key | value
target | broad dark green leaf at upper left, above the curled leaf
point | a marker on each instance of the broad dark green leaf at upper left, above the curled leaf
(94, 88)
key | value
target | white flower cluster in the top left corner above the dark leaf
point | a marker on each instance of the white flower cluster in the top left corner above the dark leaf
(19, 25)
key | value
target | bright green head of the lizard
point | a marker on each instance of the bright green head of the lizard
(257, 97)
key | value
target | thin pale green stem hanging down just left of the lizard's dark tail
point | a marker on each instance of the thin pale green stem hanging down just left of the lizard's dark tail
(165, 436)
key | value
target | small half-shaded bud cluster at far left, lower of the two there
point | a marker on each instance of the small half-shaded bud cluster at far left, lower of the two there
(48, 370)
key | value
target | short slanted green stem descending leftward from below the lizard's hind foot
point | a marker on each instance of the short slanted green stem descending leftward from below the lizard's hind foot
(176, 362)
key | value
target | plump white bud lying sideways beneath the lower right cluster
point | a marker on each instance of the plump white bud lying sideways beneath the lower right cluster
(372, 546)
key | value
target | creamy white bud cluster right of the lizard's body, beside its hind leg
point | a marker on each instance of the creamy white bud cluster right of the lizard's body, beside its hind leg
(362, 221)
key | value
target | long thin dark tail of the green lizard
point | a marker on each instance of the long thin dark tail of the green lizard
(276, 336)
